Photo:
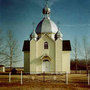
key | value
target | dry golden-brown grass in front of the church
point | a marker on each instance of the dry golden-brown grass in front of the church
(76, 82)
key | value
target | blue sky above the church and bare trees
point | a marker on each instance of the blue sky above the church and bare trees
(18, 16)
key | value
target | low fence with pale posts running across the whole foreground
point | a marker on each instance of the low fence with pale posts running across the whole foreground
(61, 77)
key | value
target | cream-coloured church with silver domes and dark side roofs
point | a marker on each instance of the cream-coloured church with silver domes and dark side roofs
(46, 51)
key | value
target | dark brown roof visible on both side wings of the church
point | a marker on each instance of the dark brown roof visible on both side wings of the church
(66, 45)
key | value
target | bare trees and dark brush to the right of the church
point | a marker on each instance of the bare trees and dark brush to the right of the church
(80, 54)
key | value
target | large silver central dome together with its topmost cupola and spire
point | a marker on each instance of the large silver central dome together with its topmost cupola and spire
(46, 25)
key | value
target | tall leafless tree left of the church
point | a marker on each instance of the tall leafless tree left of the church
(10, 53)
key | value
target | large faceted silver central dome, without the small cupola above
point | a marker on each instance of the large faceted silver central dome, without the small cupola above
(46, 26)
